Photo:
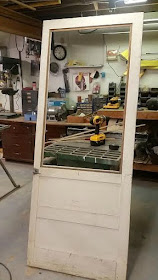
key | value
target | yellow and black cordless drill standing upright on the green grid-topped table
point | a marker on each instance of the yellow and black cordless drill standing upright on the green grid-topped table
(99, 138)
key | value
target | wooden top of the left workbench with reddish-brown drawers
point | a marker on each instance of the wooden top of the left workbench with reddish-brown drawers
(53, 123)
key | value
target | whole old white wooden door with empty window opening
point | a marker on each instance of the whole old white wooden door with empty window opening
(79, 220)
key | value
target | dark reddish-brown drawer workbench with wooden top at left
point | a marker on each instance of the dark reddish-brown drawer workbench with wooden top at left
(19, 139)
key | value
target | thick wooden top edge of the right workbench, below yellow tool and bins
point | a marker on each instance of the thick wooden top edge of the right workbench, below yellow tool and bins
(118, 114)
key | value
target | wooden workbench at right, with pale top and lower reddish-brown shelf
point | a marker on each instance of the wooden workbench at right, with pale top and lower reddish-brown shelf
(146, 115)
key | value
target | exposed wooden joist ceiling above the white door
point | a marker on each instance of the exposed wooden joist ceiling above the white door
(49, 9)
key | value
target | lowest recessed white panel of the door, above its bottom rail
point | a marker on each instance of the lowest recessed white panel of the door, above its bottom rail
(75, 238)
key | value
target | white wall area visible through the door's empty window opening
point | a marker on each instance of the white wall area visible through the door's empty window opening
(91, 50)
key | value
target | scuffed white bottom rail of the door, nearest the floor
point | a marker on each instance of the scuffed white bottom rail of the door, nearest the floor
(75, 264)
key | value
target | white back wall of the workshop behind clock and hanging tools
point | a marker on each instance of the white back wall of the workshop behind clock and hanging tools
(90, 49)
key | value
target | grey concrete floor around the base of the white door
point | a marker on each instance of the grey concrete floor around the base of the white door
(14, 220)
